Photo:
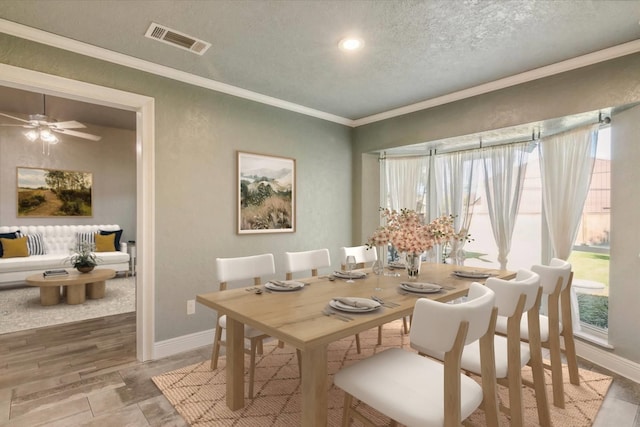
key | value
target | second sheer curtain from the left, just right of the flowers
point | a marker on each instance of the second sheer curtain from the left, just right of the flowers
(456, 181)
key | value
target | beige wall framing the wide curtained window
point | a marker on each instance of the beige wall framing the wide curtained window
(609, 84)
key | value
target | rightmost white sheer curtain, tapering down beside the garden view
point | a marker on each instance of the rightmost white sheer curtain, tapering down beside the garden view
(566, 166)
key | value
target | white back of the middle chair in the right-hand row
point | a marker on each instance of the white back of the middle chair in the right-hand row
(508, 292)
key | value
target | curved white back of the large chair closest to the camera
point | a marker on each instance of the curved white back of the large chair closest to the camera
(429, 332)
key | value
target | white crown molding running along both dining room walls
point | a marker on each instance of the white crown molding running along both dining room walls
(86, 49)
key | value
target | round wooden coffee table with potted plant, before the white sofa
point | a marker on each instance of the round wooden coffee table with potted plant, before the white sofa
(77, 286)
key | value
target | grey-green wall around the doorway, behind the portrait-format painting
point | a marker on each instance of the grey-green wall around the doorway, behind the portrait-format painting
(197, 135)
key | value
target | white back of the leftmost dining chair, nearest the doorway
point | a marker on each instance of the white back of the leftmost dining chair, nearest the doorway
(244, 268)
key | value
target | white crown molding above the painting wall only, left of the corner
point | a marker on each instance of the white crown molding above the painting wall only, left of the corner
(75, 46)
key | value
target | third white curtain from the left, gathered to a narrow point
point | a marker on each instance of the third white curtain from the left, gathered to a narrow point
(505, 167)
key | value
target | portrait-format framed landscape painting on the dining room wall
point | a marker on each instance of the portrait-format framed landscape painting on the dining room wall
(266, 194)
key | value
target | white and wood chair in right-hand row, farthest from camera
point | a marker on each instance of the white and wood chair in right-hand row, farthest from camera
(555, 280)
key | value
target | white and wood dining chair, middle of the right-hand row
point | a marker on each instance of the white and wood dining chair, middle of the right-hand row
(514, 298)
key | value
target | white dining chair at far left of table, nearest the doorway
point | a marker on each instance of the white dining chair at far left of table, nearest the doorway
(238, 270)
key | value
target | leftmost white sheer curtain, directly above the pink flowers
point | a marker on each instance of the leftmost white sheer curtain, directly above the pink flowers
(407, 182)
